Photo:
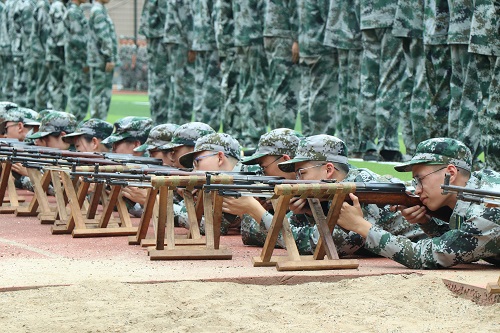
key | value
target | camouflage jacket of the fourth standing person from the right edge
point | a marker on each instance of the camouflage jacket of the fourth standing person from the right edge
(409, 19)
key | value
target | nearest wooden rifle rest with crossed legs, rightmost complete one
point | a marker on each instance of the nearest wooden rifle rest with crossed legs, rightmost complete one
(293, 261)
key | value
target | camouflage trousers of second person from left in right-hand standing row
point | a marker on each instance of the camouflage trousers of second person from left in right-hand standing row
(180, 105)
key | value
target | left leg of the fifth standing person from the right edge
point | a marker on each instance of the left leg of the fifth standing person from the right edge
(370, 67)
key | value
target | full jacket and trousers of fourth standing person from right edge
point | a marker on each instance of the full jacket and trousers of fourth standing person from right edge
(409, 26)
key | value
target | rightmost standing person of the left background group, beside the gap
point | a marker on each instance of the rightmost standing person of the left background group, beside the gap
(102, 59)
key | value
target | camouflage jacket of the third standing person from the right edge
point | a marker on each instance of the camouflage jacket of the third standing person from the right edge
(436, 21)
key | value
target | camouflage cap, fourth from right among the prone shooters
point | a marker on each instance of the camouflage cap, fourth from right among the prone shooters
(213, 142)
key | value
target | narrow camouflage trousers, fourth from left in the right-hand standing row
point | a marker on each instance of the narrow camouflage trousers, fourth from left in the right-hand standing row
(231, 116)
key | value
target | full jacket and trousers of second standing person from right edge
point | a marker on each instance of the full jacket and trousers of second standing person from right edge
(458, 40)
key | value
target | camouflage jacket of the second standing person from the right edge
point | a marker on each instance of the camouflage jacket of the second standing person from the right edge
(460, 21)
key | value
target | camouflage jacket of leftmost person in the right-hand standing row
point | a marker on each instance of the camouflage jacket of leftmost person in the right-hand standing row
(153, 18)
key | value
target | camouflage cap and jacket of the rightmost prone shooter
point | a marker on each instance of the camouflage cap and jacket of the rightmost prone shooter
(473, 231)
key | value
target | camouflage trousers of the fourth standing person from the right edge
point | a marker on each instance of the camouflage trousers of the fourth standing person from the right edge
(413, 50)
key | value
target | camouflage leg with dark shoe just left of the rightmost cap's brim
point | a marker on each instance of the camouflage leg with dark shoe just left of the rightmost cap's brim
(392, 68)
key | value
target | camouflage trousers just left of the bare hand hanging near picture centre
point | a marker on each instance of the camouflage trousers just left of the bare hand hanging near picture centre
(283, 83)
